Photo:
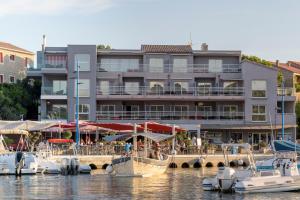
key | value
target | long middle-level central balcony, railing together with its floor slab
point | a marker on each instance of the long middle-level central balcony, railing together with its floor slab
(171, 93)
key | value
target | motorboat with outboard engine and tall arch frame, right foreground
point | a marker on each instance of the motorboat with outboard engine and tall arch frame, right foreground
(227, 176)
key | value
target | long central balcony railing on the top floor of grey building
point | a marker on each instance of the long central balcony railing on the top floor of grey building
(169, 68)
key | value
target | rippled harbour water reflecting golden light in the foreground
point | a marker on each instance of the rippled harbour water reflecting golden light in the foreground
(175, 184)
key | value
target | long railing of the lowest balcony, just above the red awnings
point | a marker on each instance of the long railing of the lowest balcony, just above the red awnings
(168, 115)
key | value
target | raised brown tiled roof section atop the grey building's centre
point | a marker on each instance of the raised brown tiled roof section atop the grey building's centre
(166, 48)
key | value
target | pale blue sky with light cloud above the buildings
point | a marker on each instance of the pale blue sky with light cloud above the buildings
(266, 28)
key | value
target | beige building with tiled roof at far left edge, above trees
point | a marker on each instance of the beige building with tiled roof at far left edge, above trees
(14, 62)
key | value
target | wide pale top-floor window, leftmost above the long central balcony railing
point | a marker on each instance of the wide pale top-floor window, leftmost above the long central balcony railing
(119, 65)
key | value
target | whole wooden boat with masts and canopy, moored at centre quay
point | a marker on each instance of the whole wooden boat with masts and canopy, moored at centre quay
(142, 163)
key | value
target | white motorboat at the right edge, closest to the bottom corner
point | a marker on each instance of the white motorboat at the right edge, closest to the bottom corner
(285, 177)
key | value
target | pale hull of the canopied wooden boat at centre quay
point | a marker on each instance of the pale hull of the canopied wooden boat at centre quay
(141, 167)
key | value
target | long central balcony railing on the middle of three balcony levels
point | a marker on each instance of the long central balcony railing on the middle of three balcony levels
(190, 91)
